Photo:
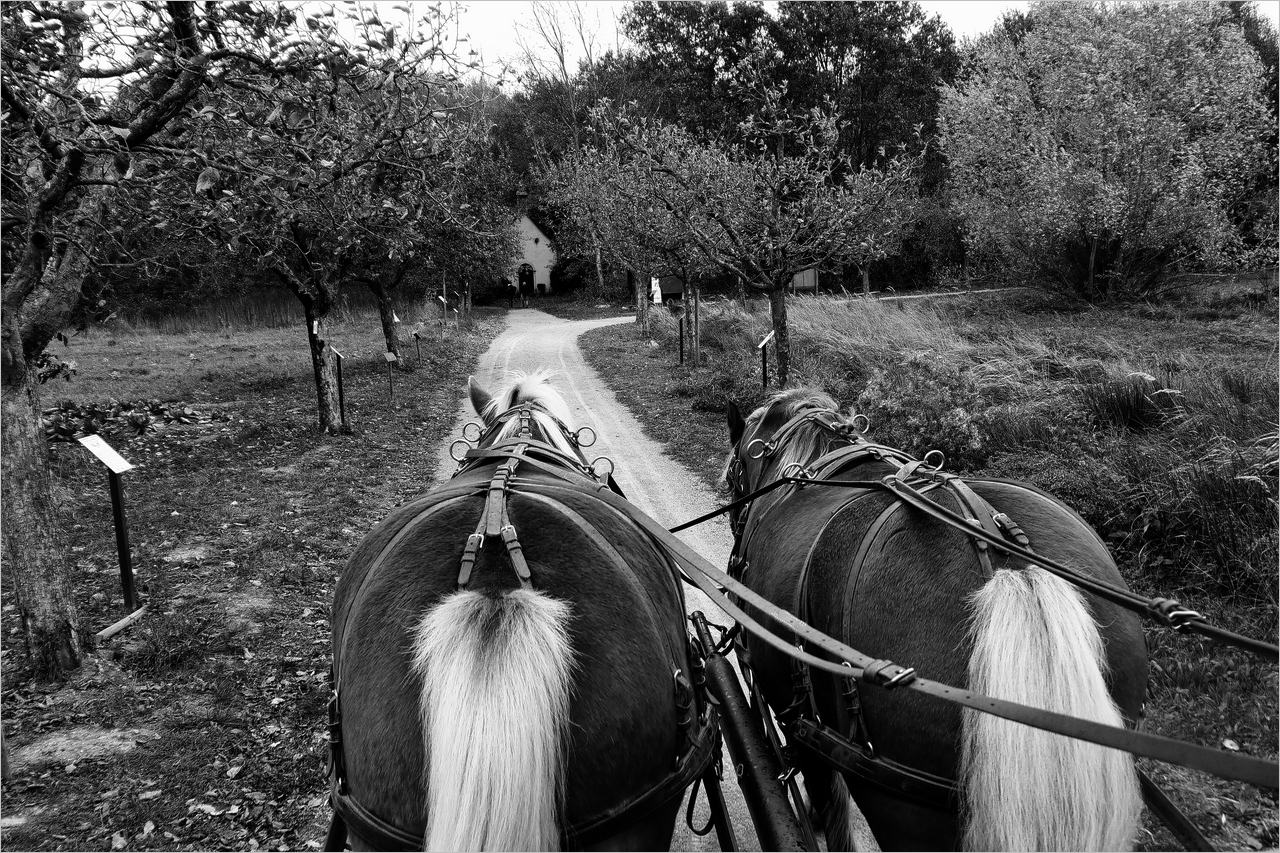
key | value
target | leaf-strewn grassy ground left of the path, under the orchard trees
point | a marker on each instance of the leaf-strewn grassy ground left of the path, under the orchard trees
(203, 726)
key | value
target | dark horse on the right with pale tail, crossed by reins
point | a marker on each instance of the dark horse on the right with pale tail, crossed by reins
(893, 582)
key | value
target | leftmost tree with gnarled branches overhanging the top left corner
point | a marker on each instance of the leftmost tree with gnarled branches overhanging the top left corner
(90, 95)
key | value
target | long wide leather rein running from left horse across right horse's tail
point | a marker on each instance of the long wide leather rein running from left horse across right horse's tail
(886, 674)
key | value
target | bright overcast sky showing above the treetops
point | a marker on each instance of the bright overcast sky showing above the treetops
(499, 26)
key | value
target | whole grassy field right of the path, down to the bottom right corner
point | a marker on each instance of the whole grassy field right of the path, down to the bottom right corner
(1158, 423)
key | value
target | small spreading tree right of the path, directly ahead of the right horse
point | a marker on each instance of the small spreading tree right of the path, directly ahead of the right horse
(783, 202)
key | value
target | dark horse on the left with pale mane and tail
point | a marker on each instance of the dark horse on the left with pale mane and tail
(510, 658)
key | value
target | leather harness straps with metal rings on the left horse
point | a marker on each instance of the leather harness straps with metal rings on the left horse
(700, 742)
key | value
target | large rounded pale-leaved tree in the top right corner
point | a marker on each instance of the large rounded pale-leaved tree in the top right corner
(1107, 145)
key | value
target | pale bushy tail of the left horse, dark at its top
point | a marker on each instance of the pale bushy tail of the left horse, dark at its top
(497, 678)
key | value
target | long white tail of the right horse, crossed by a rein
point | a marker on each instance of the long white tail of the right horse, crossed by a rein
(1028, 790)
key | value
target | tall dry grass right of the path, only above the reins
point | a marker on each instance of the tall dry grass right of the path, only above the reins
(1171, 455)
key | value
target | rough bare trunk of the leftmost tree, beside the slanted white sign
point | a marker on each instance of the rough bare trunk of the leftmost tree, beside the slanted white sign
(35, 550)
